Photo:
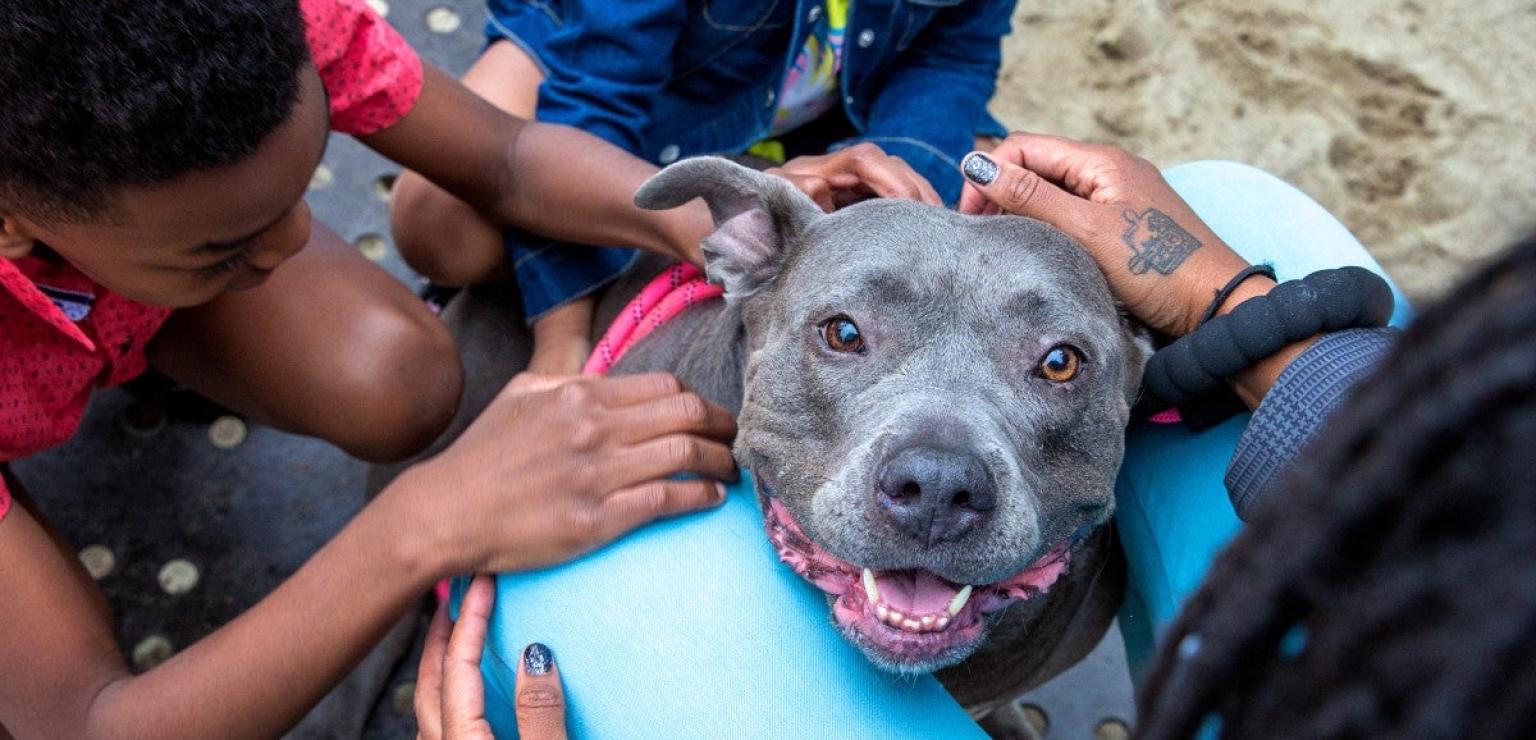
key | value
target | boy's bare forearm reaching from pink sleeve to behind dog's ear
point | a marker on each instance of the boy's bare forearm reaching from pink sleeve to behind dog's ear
(552, 180)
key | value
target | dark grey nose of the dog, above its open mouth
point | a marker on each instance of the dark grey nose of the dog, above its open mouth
(935, 495)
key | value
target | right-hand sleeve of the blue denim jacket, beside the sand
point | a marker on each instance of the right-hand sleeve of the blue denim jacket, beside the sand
(952, 67)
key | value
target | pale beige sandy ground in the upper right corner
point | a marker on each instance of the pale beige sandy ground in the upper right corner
(1412, 121)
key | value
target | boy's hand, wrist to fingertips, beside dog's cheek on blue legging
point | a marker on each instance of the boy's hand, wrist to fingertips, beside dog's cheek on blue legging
(557, 467)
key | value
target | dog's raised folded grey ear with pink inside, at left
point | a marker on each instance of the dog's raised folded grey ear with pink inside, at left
(756, 219)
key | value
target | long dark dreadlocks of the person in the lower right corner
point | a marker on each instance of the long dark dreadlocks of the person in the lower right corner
(1388, 587)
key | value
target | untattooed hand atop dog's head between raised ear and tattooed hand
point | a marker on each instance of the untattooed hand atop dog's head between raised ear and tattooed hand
(855, 174)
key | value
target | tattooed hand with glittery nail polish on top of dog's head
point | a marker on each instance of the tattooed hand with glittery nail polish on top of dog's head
(1160, 259)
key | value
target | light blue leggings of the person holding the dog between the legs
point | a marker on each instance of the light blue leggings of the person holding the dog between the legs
(694, 630)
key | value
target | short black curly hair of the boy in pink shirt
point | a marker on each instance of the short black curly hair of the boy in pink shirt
(104, 94)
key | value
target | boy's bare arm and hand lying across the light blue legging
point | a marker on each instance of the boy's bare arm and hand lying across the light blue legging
(483, 506)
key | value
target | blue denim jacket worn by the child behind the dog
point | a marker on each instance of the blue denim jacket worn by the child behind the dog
(670, 79)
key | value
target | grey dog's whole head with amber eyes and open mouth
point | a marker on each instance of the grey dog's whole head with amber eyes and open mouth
(935, 405)
